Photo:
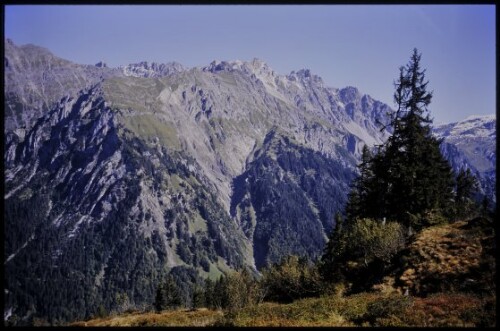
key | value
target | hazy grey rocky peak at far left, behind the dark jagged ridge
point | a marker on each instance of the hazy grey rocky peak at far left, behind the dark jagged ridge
(36, 79)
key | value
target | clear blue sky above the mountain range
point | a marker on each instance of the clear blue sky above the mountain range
(360, 45)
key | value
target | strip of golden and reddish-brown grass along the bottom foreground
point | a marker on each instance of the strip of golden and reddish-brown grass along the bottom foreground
(364, 309)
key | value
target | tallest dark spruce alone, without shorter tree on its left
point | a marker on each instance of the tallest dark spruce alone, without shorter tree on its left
(418, 176)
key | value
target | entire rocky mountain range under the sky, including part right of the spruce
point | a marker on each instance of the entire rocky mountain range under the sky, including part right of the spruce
(115, 177)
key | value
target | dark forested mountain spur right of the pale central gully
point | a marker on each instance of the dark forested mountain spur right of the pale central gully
(286, 199)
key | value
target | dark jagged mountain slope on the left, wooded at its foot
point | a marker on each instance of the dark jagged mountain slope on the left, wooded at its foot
(91, 218)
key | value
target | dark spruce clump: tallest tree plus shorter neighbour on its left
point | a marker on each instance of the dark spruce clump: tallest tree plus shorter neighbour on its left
(408, 175)
